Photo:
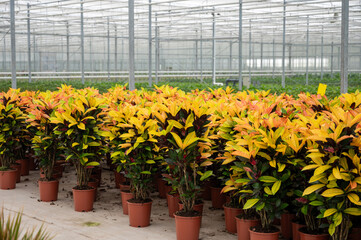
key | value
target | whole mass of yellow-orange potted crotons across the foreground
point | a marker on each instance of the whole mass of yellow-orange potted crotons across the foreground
(271, 154)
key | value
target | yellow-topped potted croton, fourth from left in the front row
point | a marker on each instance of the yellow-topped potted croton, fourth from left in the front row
(135, 134)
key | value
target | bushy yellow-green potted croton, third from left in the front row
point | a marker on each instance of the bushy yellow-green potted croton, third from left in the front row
(79, 122)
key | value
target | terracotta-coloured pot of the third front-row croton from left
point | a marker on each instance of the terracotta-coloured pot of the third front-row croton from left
(83, 200)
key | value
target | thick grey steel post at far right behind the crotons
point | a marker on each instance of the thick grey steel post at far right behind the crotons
(344, 46)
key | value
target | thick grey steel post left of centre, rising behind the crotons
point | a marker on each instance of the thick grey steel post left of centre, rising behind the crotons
(131, 45)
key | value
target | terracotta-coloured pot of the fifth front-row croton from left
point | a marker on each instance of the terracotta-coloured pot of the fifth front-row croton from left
(187, 228)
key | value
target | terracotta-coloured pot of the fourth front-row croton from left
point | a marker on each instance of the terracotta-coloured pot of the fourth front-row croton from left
(139, 214)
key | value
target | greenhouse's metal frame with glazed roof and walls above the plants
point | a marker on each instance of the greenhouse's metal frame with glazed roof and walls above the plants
(182, 29)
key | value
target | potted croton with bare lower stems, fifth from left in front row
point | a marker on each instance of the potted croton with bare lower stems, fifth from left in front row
(188, 147)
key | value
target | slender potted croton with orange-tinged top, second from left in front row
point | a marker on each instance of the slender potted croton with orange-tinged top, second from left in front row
(46, 143)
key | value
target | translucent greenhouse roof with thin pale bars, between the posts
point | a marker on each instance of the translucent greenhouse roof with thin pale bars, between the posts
(185, 19)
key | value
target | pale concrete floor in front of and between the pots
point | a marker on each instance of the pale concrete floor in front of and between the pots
(106, 221)
